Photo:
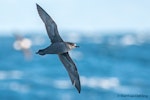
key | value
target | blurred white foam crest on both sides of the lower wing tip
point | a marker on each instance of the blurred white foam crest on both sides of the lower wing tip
(104, 83)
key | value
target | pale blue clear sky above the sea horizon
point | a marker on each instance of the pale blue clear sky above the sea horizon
(83, 15)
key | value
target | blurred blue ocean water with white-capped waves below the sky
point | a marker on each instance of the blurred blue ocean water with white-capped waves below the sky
(111, 67)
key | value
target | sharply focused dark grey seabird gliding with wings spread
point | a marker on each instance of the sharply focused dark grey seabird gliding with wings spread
(59, 47)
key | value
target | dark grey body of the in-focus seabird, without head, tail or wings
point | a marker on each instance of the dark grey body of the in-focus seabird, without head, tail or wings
(57, 48)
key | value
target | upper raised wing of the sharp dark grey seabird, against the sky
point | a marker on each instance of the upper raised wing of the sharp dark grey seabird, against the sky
(51, 26)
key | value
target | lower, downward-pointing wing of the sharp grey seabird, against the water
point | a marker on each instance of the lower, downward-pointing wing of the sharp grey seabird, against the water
(72, 70)
